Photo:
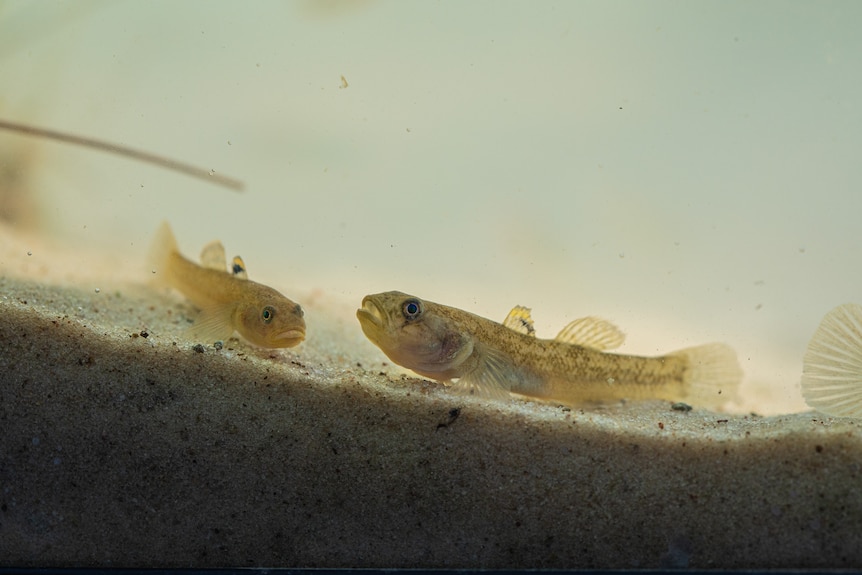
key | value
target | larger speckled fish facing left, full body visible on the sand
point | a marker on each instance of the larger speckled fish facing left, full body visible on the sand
(493, 360)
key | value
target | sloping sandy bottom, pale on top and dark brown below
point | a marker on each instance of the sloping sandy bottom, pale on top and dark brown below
(123, 445)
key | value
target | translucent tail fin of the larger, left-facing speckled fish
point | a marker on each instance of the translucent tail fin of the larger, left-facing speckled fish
(713, 374)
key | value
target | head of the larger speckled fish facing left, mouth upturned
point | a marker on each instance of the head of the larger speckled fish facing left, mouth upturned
(416, 334)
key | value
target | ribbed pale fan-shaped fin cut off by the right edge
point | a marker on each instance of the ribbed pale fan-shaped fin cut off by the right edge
(832, 366)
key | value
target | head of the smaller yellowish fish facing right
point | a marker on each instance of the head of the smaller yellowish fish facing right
(270, 320)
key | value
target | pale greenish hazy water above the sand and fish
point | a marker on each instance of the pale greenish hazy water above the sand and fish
(688, 171)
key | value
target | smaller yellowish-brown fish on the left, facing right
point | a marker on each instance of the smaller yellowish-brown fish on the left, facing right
(227, 299)
